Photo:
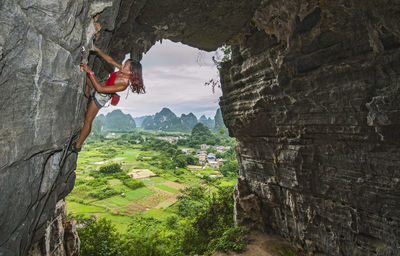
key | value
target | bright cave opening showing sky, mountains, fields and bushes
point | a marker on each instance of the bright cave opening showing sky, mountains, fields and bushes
(175, 164)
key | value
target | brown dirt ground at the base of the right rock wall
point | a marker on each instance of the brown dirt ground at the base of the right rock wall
(262, 244)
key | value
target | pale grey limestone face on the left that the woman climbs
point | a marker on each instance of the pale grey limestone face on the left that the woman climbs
(42, 106)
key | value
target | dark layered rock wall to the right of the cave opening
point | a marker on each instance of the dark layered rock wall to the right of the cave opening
(312, 95)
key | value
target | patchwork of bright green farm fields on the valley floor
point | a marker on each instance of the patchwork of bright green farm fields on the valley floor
(118, 202)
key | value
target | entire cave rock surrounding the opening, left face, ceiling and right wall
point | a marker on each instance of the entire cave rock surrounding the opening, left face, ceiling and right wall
(312, 95)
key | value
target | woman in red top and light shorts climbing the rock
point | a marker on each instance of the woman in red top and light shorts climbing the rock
(129, 74)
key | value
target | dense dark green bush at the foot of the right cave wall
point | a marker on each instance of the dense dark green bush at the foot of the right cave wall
(212, 222)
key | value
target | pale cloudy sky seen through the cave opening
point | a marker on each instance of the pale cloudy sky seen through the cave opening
(174, 76)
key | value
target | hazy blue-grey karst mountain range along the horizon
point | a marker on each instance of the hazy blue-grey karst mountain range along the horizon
(165, 120)
